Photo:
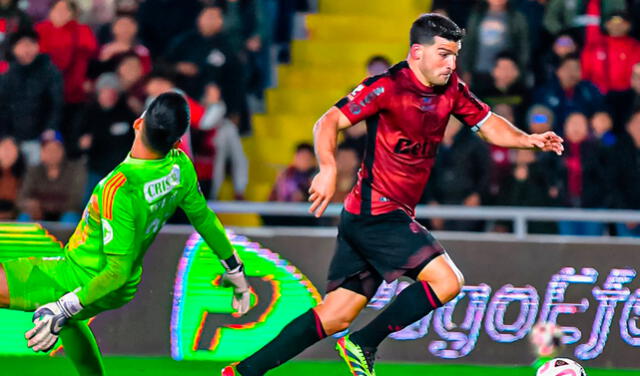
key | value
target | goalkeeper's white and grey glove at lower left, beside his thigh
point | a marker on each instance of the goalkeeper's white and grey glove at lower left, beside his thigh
(49, 319)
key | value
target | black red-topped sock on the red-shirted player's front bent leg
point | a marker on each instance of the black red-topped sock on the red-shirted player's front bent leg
(412, 304)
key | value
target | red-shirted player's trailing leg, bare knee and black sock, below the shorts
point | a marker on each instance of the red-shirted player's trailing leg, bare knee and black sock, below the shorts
(334, 314)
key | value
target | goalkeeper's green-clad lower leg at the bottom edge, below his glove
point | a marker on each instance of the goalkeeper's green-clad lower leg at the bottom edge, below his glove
(81, 347)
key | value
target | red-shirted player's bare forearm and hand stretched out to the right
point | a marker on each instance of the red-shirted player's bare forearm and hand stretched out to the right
(498, 131)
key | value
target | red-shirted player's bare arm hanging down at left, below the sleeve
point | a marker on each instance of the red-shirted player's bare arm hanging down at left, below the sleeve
(325, 138)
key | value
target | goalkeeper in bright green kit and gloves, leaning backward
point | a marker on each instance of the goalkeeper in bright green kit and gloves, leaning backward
(102, 263)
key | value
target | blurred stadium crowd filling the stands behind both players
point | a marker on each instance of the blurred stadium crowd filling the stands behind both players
(74, 76)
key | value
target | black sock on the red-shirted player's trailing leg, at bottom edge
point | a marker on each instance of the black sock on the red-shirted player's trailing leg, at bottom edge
(302, 332)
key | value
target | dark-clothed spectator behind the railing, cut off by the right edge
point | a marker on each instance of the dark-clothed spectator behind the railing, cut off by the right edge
(626, 174)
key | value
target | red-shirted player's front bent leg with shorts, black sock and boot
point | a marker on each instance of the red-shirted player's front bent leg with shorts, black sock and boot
(398, 245)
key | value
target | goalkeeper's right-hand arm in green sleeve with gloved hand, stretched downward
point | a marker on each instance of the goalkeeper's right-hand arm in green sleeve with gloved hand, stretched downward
(205, 221)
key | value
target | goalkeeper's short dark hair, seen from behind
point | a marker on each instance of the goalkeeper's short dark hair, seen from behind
(165, 121)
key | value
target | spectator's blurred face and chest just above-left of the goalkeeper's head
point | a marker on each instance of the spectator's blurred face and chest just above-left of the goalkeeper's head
(130, 73)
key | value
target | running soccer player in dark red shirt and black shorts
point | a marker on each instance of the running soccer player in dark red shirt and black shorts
(406, 110)
